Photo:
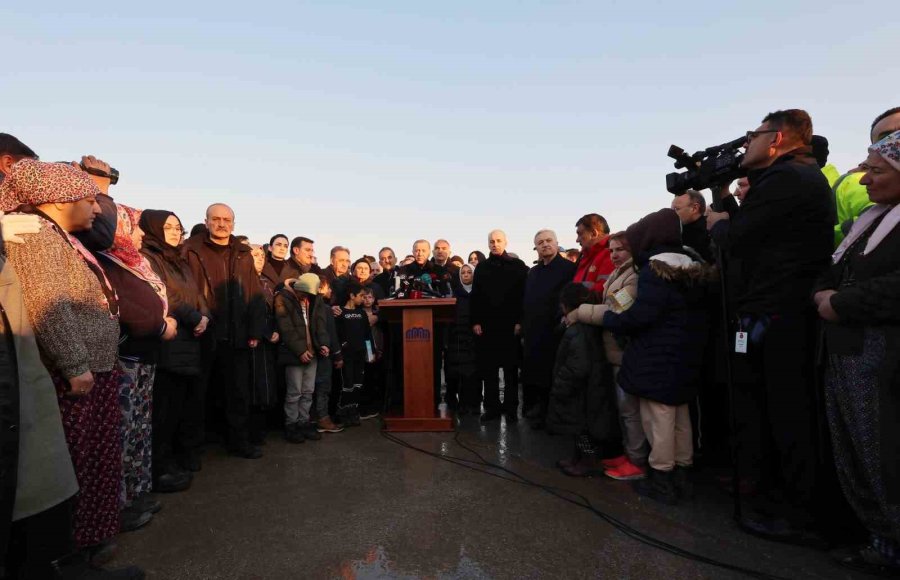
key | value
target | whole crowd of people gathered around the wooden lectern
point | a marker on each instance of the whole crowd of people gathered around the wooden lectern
(767, 320)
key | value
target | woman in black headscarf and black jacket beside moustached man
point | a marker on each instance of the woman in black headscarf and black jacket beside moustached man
(178, 369)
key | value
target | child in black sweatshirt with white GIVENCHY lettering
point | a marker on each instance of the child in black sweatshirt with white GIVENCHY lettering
(354, 330)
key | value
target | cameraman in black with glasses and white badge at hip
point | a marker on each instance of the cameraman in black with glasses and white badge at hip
(776, 244)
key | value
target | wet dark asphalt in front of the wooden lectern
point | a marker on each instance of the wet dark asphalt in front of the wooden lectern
(357, 505)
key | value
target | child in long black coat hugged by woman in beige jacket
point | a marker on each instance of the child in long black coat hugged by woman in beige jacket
(581, 403)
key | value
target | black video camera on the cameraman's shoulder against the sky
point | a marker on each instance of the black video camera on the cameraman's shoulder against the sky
(717, 165)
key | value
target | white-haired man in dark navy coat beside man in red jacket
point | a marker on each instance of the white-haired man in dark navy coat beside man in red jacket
(541, 317)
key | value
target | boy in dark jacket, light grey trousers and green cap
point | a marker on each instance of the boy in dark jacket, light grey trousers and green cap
(302, 318)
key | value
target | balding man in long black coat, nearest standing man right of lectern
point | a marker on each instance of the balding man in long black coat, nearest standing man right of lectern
(497, 294)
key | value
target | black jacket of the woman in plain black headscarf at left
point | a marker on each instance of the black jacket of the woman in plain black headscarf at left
(187, 306)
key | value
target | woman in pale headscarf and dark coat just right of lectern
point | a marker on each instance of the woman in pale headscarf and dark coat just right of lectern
(461, 366)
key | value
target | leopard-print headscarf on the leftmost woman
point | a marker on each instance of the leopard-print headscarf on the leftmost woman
(35, 182)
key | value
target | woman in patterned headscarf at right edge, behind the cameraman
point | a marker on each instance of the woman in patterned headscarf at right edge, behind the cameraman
(859, 298)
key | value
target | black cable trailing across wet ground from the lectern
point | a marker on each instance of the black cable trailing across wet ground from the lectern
(573, 498)
